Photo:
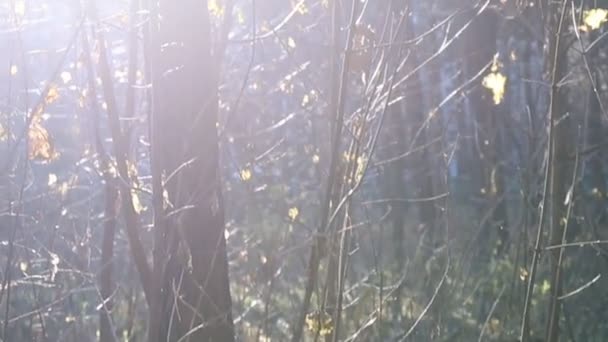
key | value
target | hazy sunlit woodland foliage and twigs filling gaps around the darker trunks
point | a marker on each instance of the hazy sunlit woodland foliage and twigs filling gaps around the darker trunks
(417, 105)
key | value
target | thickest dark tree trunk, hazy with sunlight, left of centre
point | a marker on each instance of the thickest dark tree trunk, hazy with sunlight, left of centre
(192, 302)
